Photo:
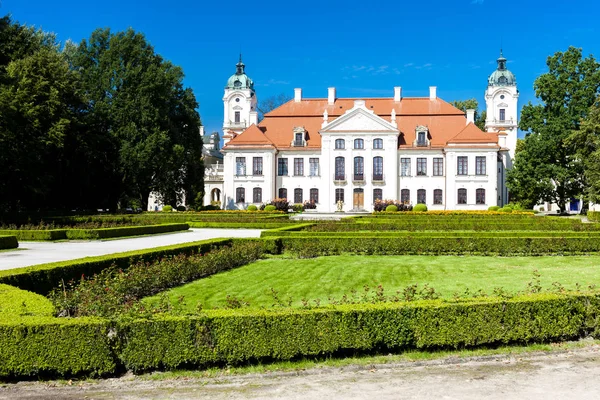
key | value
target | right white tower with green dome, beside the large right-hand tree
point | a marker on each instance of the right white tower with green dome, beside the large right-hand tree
(501, 98)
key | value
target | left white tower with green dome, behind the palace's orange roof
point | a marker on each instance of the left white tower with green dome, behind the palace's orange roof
(239, 103)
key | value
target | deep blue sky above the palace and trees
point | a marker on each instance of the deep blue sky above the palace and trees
(362, 48)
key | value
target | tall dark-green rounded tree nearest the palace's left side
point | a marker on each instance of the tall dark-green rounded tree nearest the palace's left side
(140, 107)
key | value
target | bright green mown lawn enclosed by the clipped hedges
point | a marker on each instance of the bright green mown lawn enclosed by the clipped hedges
(320, 278)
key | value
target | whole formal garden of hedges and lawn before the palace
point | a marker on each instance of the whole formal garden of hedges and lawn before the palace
(381, 283)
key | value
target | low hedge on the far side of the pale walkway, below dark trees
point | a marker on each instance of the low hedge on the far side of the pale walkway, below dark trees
(101, 233)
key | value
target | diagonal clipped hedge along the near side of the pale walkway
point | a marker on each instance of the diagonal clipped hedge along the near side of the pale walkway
(45, 277)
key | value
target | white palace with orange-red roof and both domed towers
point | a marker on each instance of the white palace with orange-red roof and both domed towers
(354, 150)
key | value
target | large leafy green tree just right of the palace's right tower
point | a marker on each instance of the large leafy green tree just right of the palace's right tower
(548, 168)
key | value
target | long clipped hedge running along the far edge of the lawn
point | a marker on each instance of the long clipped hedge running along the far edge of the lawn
(328, 245)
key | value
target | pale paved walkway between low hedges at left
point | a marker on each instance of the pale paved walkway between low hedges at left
(32, 253)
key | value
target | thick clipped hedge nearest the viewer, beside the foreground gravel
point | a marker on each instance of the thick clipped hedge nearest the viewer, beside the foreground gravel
(63, 347)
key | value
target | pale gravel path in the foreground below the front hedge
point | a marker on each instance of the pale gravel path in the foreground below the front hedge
(566, 375)
